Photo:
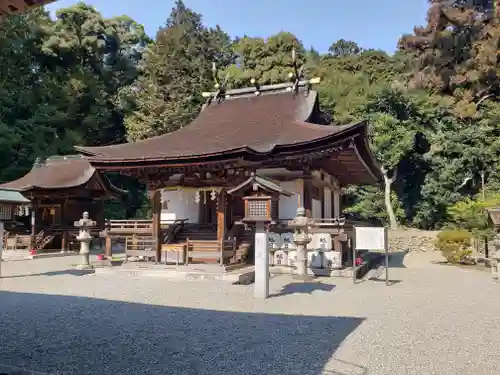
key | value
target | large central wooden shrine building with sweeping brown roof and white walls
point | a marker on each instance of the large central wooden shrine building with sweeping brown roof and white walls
(277, 132)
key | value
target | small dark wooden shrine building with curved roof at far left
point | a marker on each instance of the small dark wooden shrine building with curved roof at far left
(60, 189)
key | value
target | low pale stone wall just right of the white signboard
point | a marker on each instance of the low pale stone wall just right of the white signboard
(412, 239)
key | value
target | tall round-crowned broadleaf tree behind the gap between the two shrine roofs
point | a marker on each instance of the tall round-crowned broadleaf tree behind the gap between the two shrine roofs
(92, 59)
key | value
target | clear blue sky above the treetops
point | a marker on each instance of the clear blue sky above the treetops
(372, 24)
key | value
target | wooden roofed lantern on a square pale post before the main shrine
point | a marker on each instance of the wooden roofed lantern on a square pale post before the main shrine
(261, 198)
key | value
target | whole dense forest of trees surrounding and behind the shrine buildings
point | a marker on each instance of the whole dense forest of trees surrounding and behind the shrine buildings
(433, 106)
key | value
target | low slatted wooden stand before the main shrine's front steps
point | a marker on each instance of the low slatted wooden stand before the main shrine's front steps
(220, 250)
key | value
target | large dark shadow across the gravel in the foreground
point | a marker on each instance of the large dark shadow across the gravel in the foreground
(77, 335)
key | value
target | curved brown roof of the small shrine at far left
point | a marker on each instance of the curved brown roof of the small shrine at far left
(58, 172)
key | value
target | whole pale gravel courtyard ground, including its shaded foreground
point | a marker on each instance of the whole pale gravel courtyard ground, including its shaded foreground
(436, 320)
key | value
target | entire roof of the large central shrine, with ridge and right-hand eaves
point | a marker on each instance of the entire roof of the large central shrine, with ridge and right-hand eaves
(275, 122)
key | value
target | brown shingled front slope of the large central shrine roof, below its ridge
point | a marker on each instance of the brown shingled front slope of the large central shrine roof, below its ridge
(257, 124)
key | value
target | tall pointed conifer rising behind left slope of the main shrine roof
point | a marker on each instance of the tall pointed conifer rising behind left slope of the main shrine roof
(176, 69)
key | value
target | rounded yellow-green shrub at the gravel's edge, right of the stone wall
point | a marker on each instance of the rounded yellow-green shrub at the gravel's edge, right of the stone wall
(455, 245)
